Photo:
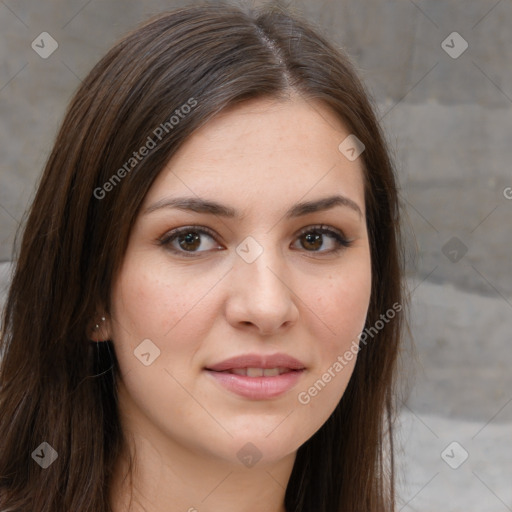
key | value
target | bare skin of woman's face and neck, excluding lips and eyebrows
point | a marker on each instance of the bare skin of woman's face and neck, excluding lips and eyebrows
(297, 298)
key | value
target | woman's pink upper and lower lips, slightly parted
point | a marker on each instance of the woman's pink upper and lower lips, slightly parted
(257, 388)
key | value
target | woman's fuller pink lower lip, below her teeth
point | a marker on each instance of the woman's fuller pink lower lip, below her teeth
(257, 388)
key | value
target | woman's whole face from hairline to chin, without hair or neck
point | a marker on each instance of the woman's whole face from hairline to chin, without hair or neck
(283, 288)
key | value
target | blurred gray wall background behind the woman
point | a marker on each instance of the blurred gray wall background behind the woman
(449, 122)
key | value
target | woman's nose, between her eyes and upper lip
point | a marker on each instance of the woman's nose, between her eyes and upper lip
(261, 295)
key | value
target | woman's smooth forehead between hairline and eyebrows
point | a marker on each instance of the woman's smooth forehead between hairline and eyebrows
(264, 151)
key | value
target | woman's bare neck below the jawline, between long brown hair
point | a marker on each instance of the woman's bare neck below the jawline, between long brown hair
(168, 476)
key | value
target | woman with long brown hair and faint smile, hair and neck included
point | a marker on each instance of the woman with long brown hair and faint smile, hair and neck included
(205, 310)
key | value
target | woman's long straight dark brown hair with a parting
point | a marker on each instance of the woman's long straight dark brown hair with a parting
(60, 388)
